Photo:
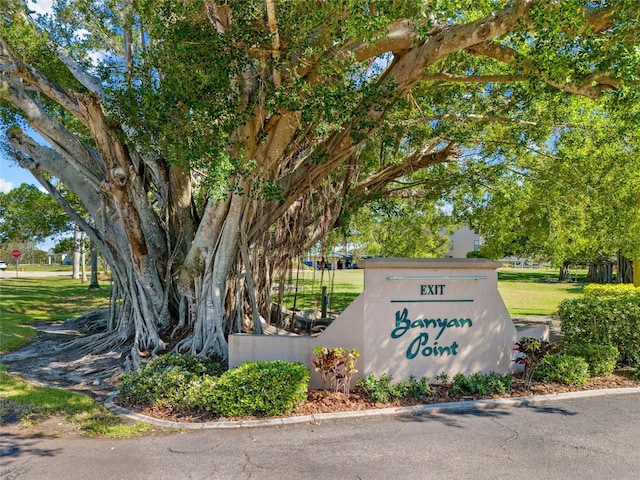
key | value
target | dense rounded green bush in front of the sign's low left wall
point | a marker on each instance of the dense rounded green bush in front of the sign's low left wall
(261, 388)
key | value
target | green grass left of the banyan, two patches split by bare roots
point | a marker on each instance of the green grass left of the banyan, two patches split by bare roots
(24, 301)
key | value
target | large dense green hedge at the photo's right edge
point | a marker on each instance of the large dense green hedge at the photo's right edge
(604, 320)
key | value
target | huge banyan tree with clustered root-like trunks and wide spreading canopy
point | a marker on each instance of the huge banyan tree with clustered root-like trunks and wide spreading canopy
(210, 141)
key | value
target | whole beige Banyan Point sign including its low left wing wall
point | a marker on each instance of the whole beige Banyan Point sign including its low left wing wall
(417, 317)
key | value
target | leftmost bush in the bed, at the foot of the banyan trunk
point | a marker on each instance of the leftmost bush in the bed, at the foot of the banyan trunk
(170, 379)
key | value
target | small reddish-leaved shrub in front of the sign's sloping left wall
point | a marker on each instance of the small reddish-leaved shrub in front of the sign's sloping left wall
(336, 366)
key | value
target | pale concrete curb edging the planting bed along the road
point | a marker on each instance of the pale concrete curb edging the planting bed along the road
(381, 412)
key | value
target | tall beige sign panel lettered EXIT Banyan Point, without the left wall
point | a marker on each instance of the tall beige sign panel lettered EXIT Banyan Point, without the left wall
(426, 317)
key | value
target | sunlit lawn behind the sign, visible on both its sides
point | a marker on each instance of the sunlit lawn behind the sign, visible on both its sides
(526, 292)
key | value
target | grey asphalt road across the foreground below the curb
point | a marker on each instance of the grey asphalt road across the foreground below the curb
(594, 438)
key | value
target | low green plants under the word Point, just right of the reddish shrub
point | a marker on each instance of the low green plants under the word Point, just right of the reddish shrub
(384, 390)
